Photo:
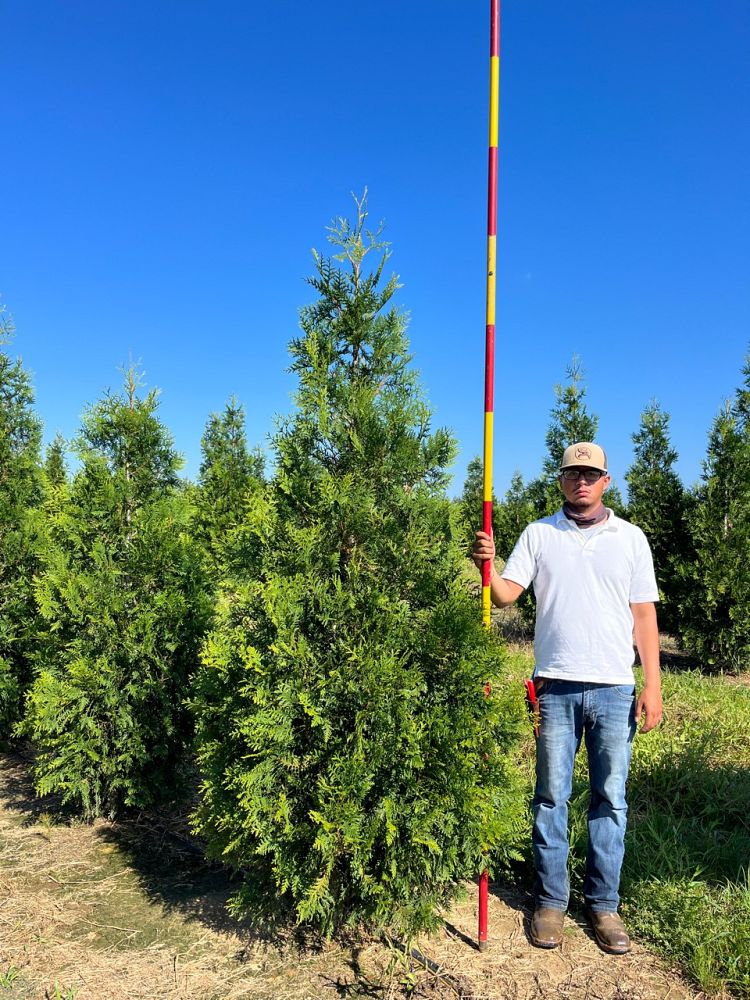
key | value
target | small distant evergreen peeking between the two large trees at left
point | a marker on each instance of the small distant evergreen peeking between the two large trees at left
(228, 470)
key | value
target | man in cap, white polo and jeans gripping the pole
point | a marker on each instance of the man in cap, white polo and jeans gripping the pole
(594, 584)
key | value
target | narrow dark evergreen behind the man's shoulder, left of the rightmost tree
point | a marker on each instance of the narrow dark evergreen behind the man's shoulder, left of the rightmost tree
(657, 504)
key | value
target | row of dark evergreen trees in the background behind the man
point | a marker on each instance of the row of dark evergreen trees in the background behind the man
(699, 535)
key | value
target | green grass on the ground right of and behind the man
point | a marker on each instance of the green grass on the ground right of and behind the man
(685, 881)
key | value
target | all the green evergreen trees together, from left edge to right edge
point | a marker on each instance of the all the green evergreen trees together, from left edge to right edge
(304, 639)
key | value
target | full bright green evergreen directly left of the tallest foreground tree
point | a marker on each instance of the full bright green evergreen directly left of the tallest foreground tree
(124, 610)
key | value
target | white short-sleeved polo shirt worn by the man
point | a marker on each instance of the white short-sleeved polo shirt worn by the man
(585, 580)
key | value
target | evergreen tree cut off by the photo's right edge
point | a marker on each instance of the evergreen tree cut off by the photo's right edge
(716, 603)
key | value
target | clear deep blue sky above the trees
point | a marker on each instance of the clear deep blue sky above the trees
(167, 167)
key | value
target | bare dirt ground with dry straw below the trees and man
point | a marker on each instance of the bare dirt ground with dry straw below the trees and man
(121, 912)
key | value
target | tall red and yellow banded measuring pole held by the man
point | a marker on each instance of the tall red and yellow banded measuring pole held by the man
(489, 361)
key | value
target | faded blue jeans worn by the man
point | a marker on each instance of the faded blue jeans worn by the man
(605, 715)
